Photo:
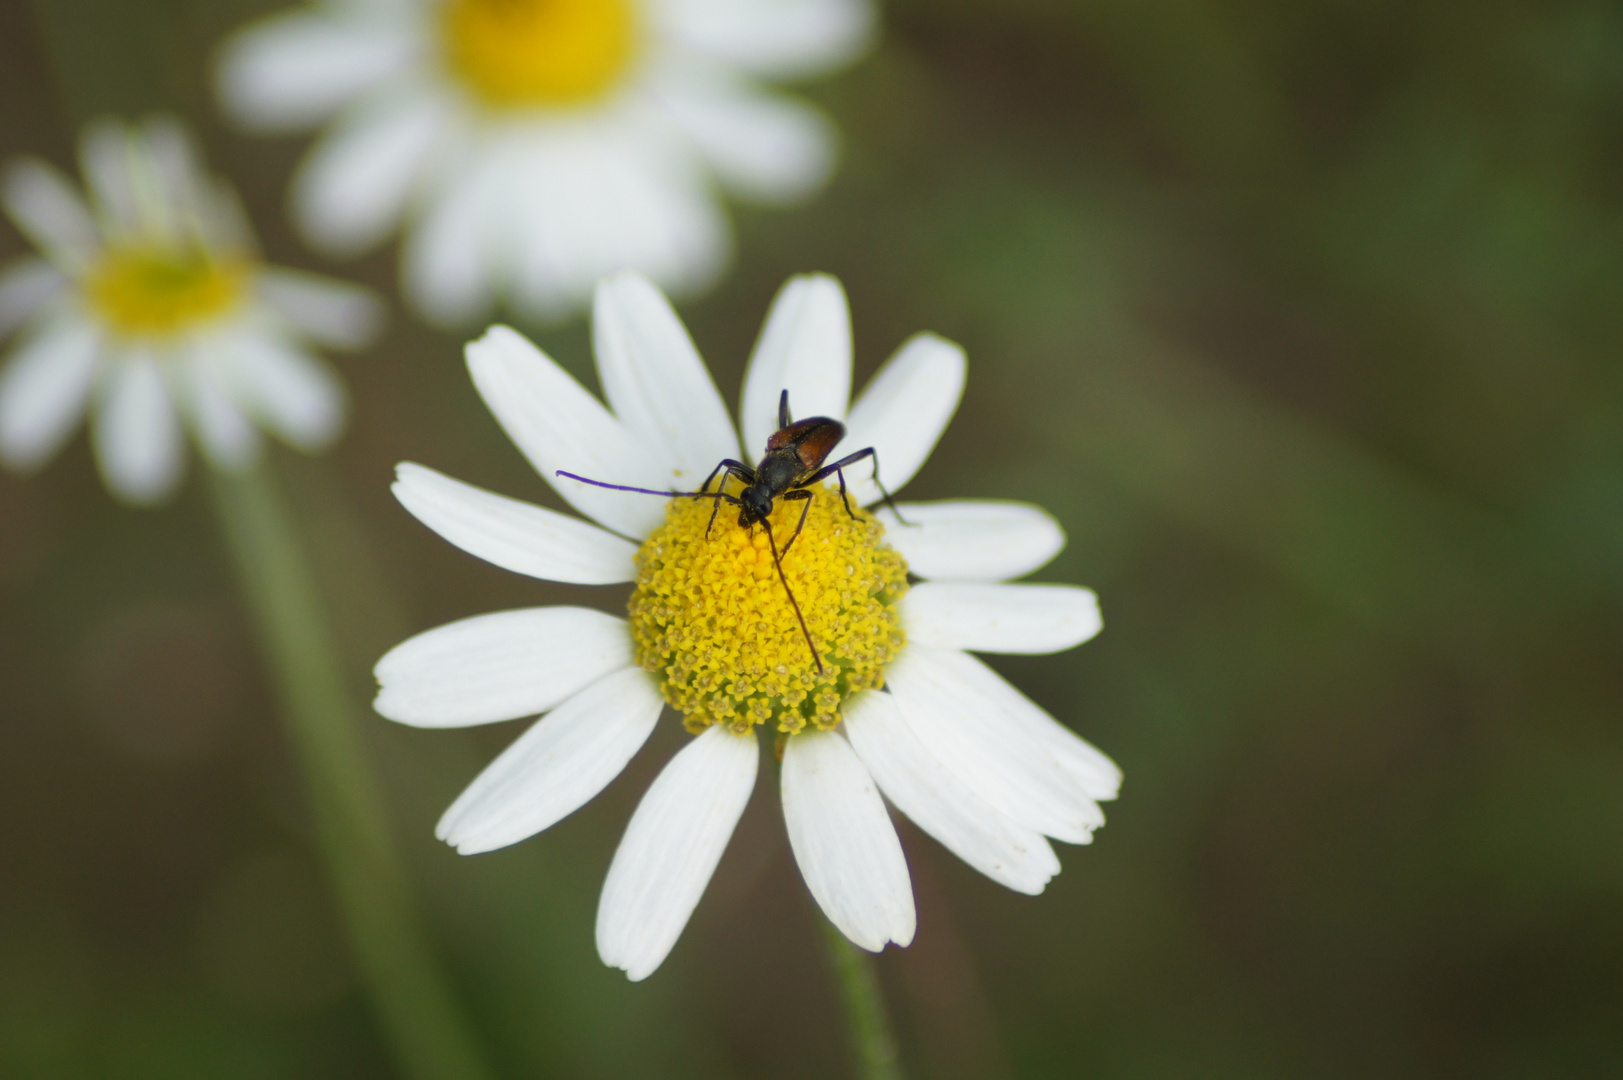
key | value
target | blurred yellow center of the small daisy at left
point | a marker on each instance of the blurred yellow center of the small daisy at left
(158, 292)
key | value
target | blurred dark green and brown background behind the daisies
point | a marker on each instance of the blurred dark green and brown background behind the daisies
(1304, 319)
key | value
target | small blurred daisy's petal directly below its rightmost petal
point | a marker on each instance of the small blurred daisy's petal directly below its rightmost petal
(295, 394)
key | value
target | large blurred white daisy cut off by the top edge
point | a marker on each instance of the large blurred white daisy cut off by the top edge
(538, 145)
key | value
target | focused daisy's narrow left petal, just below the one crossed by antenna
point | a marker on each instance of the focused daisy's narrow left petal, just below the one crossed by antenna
(514, 535)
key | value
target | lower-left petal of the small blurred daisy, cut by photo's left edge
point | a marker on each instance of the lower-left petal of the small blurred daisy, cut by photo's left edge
(45, 389)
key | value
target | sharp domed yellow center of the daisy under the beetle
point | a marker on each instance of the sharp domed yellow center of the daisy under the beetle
(712, 618)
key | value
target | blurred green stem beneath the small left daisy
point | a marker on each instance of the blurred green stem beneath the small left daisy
(413, 1003)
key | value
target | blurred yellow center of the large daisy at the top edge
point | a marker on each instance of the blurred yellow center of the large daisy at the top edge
(540, 53)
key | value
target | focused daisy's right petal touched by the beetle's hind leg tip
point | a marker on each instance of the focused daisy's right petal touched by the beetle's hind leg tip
(973, 540)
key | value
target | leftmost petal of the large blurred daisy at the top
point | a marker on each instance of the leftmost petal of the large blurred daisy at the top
(293, 71)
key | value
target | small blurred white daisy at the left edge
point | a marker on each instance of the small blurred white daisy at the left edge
(149, 308)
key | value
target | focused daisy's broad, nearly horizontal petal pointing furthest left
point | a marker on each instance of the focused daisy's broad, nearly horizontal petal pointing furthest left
(499, 667)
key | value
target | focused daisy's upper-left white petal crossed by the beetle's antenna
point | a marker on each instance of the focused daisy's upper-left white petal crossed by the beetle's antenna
(558, 425)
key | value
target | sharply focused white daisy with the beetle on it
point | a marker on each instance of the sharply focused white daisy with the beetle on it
(898, 704)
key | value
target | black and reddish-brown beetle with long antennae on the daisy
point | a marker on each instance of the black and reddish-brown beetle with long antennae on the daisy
(790, 470)
